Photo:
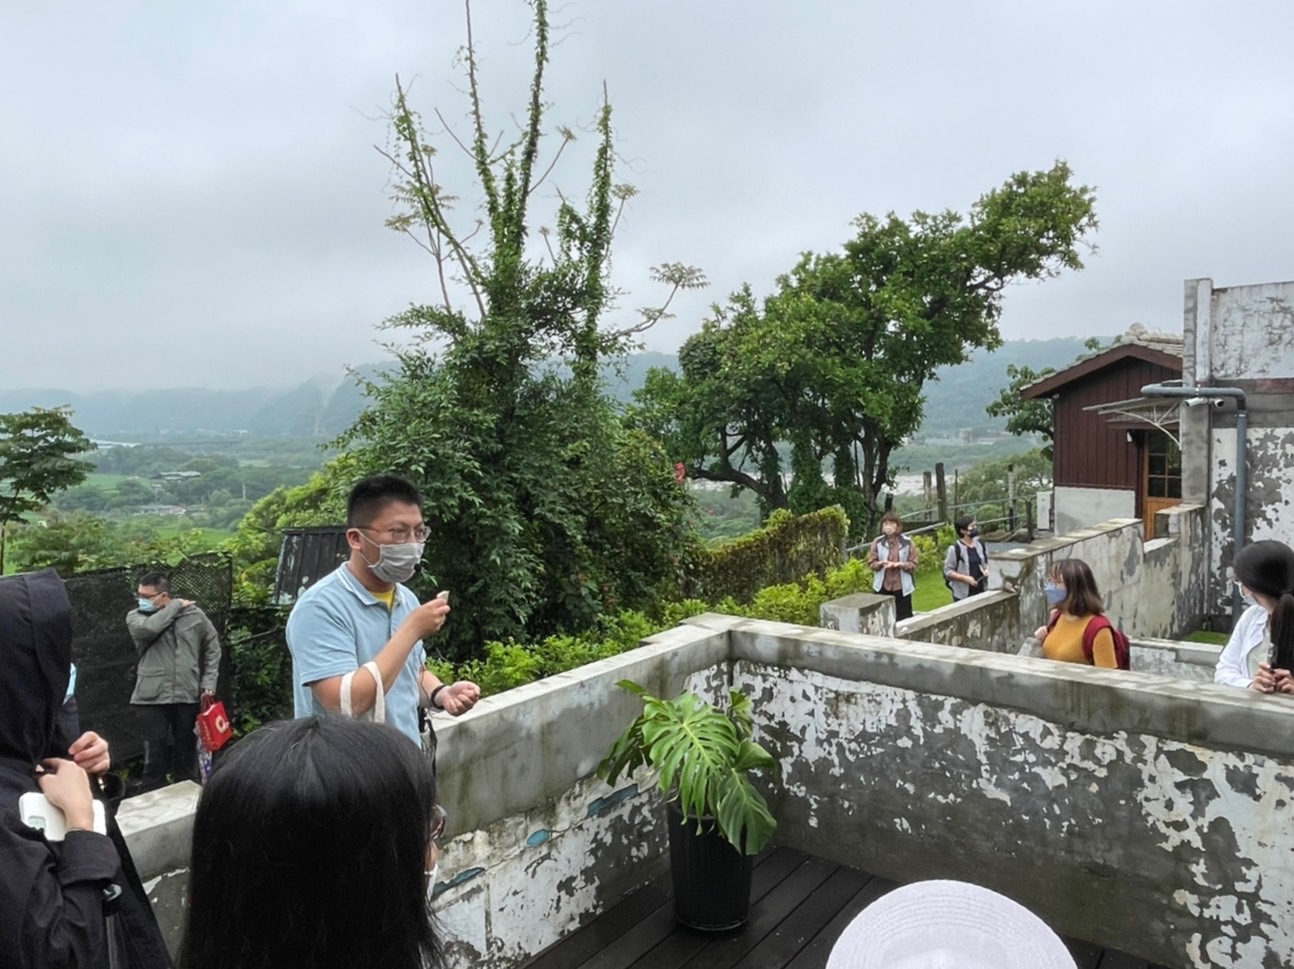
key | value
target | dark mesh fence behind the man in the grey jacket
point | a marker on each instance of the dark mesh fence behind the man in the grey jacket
(103, 649)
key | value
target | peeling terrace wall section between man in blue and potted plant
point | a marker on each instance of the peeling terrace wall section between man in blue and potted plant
(540, 847)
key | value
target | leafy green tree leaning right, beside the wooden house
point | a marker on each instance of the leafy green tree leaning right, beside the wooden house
(831, 367)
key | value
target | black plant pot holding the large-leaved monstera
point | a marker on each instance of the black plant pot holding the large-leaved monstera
(712, 879)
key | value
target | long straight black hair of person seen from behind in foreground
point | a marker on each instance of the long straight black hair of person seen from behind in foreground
(310, 848)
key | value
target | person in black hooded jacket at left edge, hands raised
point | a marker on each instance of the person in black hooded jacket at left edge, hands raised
(56, 897)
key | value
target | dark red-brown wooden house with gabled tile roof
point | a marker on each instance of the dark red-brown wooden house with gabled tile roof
(1115, 452)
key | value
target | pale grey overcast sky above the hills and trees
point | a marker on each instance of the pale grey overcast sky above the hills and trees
(190, 195)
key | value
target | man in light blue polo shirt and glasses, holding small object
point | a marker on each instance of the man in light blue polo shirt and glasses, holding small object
(362, 614)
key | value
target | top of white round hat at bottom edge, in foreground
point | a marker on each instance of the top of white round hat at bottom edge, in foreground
(948, 926)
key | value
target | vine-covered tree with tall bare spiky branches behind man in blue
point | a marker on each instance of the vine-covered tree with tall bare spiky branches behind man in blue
(544, 509)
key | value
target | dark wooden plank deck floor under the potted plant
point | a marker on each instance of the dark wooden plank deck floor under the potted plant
(799, 908)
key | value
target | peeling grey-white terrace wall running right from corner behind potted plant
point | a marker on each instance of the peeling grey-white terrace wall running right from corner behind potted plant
(1137, 812)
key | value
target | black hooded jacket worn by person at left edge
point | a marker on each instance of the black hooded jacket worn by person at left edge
(52, 909)
